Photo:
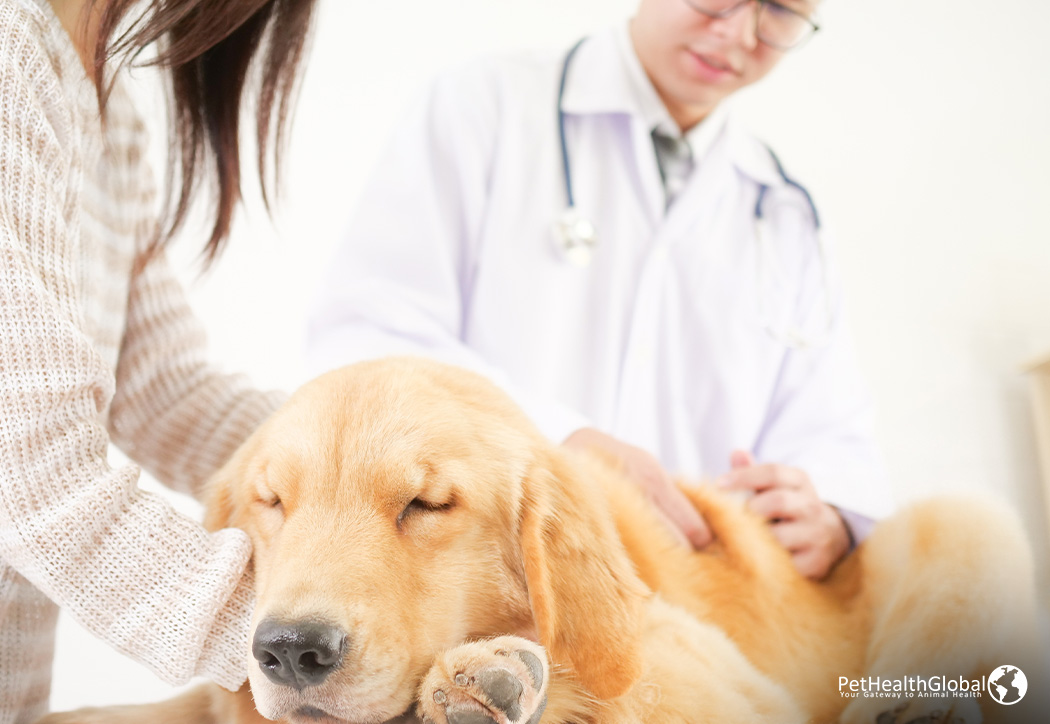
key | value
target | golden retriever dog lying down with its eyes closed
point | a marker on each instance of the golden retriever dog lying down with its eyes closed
(422, 551)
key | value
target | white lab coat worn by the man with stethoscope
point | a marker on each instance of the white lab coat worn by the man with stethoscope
(659, 342)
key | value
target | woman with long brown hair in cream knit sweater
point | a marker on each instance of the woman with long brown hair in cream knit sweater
(98, 345)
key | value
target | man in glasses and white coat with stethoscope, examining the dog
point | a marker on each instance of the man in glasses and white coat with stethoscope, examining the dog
(595, 230)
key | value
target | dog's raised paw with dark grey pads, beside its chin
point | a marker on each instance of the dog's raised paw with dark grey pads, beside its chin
(496, 682)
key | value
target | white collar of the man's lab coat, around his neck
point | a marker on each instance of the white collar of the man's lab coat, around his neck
(606, 77)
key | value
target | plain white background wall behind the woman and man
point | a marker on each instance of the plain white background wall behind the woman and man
(922, 129)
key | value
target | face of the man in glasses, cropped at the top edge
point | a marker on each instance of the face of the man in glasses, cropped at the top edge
(696, 61)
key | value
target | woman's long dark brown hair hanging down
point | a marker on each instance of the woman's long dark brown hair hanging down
(208, 49)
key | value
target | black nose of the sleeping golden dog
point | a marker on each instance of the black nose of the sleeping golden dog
(298, 655)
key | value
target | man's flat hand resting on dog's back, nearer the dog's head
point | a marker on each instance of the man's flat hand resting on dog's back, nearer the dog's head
(682, 518)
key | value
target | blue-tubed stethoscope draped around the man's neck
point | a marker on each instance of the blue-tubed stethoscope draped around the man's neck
(576, 238)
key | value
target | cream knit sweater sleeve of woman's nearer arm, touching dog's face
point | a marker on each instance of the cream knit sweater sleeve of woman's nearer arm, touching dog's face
(150, 582)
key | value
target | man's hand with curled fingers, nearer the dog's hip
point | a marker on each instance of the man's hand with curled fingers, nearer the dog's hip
(808, 527)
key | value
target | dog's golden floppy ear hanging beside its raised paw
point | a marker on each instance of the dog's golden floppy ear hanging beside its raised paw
(586, 599)
